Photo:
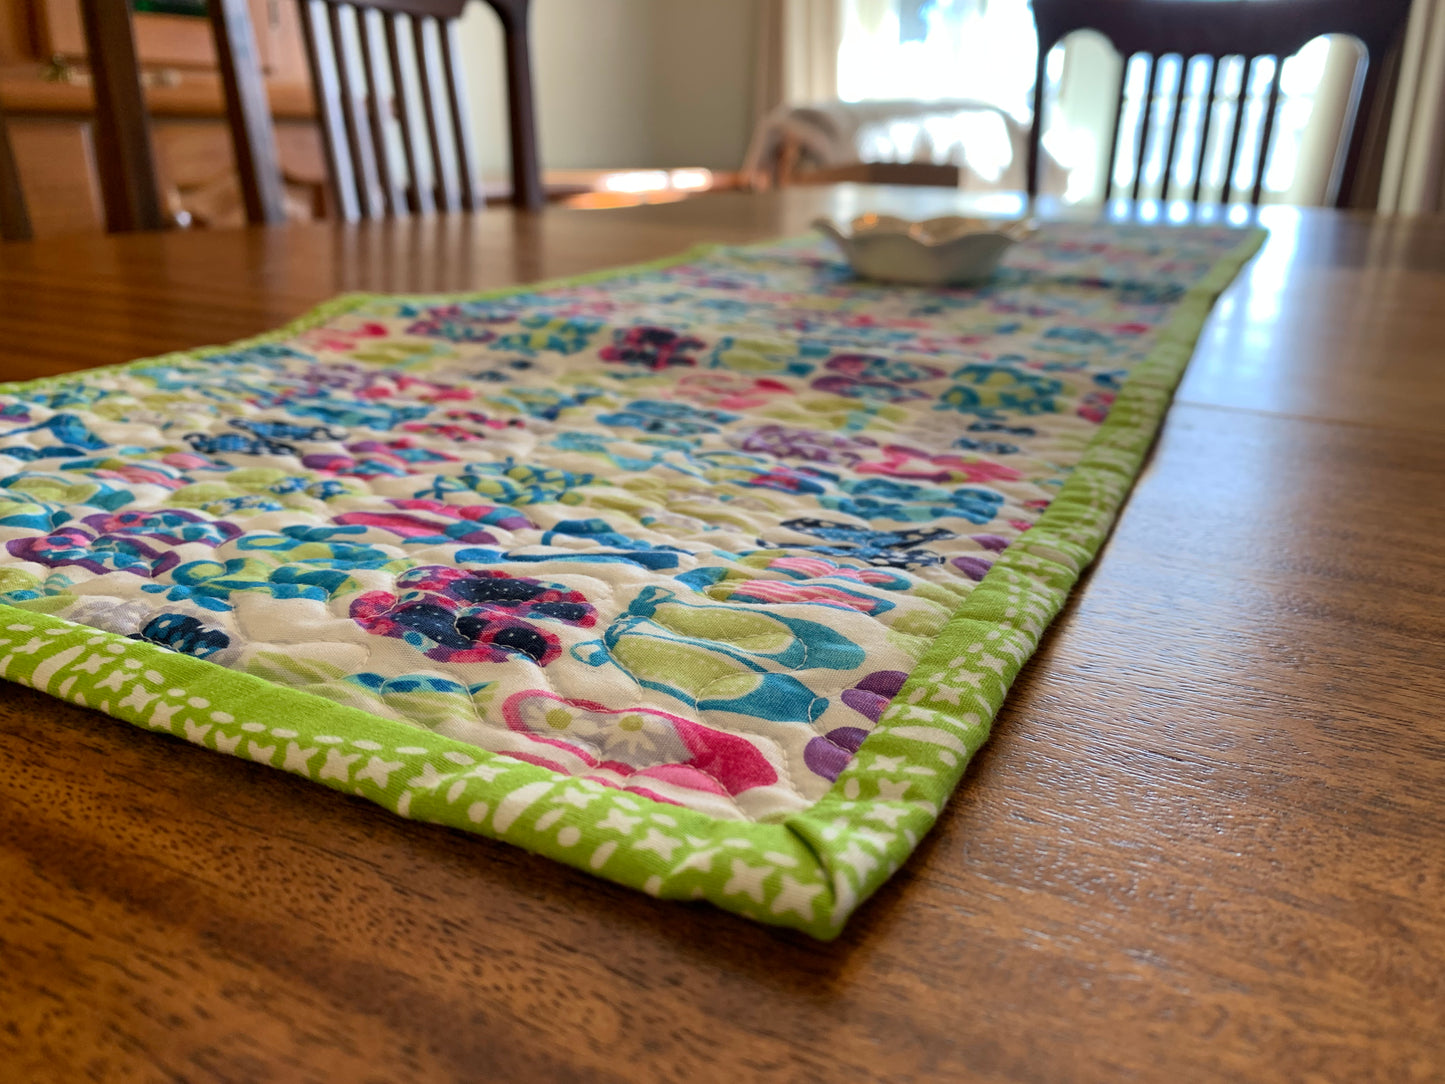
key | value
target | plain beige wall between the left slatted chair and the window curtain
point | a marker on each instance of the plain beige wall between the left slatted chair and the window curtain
(624, 83)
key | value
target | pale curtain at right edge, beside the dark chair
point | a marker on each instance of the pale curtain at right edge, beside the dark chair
(1414, 180)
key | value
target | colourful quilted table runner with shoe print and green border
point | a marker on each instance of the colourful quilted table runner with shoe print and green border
(706, 577)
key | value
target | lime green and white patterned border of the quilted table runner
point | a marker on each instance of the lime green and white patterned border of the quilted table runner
(811, 871)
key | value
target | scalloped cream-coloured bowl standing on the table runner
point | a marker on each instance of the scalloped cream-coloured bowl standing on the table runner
(937, 252)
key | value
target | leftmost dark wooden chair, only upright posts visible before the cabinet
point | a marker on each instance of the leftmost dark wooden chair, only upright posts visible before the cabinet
(128, 174)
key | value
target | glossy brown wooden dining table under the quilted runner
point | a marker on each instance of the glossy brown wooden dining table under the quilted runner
(1206, 840)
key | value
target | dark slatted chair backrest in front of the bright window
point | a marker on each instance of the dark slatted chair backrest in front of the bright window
(1217, 30)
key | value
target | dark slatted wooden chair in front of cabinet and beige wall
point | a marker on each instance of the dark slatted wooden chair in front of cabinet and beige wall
(359, 53)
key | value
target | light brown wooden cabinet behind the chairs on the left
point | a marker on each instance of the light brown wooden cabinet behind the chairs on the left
(46, 93)
